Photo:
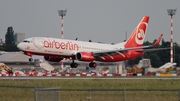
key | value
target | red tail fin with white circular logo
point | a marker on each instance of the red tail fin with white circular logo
(138, 35)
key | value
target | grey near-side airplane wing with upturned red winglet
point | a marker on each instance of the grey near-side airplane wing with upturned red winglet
(111, 53)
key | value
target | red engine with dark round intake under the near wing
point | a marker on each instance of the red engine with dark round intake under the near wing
(84, 56)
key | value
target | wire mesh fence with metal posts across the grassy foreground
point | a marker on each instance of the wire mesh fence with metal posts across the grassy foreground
(14, 93)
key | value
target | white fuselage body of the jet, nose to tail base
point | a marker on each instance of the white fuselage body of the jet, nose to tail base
(63, 47)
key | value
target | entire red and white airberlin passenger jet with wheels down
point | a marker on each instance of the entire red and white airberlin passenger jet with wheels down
(55, 50)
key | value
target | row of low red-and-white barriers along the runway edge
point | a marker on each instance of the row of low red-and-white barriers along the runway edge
(20, 73)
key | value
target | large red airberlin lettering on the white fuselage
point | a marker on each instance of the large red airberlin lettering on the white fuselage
(60, 45)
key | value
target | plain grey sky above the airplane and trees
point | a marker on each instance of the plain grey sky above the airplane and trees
(99, 20)
